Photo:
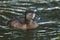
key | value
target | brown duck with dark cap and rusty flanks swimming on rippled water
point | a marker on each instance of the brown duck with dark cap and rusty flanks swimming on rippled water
(24, 23)
